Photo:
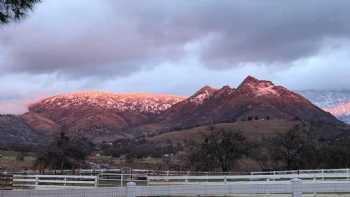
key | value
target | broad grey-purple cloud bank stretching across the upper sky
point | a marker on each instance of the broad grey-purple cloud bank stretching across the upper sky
(122, 37)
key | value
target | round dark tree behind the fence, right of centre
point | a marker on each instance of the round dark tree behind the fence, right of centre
(219, 150)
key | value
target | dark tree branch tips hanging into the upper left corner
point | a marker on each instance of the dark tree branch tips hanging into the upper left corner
(15, 9)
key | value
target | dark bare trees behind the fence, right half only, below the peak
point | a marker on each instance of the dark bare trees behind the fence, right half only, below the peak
(301, 147)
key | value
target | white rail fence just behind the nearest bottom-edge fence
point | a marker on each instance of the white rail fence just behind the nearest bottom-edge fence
(113, 178)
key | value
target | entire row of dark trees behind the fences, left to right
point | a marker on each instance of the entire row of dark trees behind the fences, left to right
(301, 147)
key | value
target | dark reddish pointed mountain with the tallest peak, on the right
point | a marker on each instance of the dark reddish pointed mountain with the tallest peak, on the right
(258, 99)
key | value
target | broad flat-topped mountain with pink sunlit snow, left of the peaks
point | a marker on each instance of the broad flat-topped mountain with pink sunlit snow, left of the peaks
(97, 115)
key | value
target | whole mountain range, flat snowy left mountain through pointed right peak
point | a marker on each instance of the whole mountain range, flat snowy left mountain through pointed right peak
(103, 116)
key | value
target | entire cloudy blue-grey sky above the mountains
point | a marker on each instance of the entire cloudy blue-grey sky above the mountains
(173, 47)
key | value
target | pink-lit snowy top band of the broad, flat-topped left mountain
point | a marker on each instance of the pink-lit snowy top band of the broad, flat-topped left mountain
(125, 102)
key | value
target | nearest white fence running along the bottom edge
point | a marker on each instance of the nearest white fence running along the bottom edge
(294, 187)
